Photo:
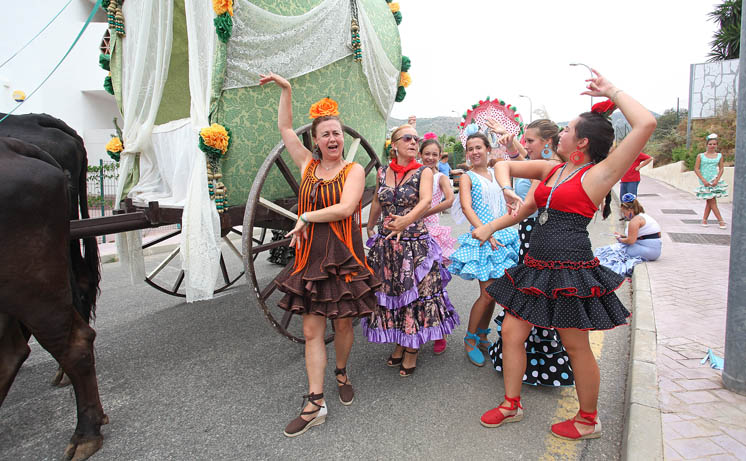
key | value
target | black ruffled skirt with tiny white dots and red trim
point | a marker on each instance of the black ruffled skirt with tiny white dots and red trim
(560, 284)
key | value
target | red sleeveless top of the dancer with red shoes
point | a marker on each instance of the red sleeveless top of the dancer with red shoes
(570, 197)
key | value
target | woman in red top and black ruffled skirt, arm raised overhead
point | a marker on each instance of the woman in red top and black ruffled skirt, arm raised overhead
(560, 283)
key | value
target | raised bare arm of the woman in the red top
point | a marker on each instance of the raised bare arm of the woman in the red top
(601, 178)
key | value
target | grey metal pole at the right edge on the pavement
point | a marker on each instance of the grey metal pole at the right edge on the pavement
(734, 374)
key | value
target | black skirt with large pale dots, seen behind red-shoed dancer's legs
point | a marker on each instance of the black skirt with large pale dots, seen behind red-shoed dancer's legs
(547, 363)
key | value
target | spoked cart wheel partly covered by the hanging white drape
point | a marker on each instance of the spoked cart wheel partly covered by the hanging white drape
(168, 276)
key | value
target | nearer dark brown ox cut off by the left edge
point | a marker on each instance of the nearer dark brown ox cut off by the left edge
(38, 282)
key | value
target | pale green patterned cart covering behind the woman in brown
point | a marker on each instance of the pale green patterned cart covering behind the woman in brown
(252, 115)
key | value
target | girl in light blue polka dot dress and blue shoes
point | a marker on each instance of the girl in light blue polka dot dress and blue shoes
(480, 201)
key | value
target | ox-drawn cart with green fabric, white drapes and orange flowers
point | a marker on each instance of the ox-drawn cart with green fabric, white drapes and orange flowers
(199, 140)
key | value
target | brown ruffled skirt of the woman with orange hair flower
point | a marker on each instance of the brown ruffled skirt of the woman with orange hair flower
(333, 283)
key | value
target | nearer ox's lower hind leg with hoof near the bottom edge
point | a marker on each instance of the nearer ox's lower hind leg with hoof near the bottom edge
(75, 354)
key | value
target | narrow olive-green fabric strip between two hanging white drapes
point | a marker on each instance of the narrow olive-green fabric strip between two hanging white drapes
(176, 99)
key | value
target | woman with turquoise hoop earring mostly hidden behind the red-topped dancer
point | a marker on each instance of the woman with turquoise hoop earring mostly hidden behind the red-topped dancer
(547, 363)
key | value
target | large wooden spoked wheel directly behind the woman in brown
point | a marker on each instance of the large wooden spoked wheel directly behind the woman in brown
(282, 214)
